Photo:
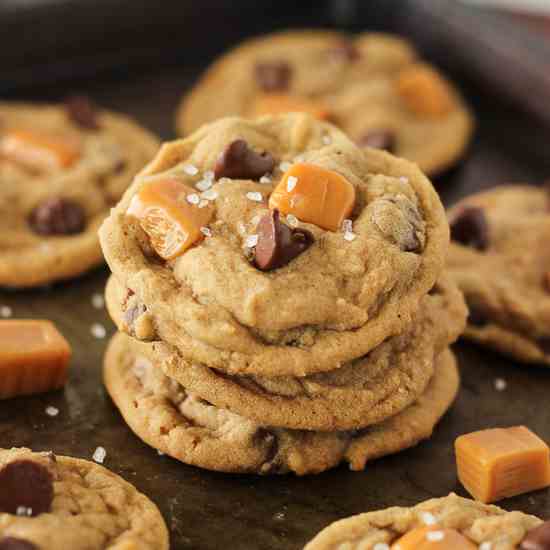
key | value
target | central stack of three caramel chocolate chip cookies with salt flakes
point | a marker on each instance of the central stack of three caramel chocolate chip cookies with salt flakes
(281, 300)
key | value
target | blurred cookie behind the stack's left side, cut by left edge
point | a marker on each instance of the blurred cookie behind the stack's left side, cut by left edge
(61, 169)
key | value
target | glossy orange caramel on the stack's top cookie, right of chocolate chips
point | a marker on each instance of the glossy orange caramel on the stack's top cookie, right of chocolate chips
(314, 195)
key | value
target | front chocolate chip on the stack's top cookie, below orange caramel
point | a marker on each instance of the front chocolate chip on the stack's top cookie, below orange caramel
(278, 244)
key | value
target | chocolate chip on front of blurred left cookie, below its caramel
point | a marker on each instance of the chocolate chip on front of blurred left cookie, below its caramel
(57, 216)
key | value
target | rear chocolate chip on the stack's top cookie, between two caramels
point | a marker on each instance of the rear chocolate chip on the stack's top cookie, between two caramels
(238, 161)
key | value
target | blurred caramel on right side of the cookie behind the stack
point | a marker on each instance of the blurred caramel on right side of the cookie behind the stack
(424, 91)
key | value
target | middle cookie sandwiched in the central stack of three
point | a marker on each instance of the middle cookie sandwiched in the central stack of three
(363, 392)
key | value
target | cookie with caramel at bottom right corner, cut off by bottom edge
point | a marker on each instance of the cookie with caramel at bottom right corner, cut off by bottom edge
(462, 522)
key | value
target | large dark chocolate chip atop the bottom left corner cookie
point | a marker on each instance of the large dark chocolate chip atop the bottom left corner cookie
(28, 484)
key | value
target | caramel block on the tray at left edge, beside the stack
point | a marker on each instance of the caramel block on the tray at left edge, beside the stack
(34, 357)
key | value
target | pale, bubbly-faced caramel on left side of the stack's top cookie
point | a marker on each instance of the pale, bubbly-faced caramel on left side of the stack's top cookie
(172, 223)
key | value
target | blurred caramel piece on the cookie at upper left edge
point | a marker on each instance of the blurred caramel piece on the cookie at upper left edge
(39, 151)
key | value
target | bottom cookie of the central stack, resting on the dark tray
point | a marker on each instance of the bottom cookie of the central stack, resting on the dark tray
(181, 424)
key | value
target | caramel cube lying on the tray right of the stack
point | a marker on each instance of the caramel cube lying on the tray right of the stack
(502, 462)
